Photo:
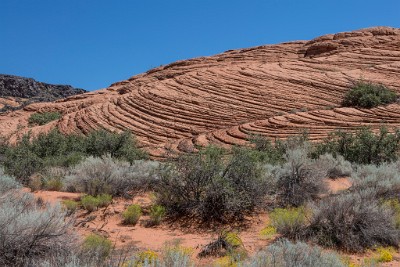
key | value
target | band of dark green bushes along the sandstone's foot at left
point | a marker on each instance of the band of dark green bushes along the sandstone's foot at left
(33, 154)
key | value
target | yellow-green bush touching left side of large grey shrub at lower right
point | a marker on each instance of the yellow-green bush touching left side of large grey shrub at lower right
(289, 222)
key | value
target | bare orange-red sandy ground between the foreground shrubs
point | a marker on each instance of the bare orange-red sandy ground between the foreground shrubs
(108, 222)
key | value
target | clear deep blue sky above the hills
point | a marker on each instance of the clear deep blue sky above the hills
(93, 43)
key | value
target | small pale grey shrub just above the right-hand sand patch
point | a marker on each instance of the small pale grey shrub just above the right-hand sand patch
(337, 167)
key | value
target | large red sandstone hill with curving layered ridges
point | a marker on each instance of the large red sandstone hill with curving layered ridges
(274, 90)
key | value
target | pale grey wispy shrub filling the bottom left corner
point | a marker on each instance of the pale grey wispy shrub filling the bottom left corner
(30, 232)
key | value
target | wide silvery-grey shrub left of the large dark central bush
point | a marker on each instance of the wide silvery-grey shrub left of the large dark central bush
(110, 176)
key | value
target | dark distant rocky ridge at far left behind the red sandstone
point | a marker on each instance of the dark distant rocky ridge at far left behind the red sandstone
(26, 90)
